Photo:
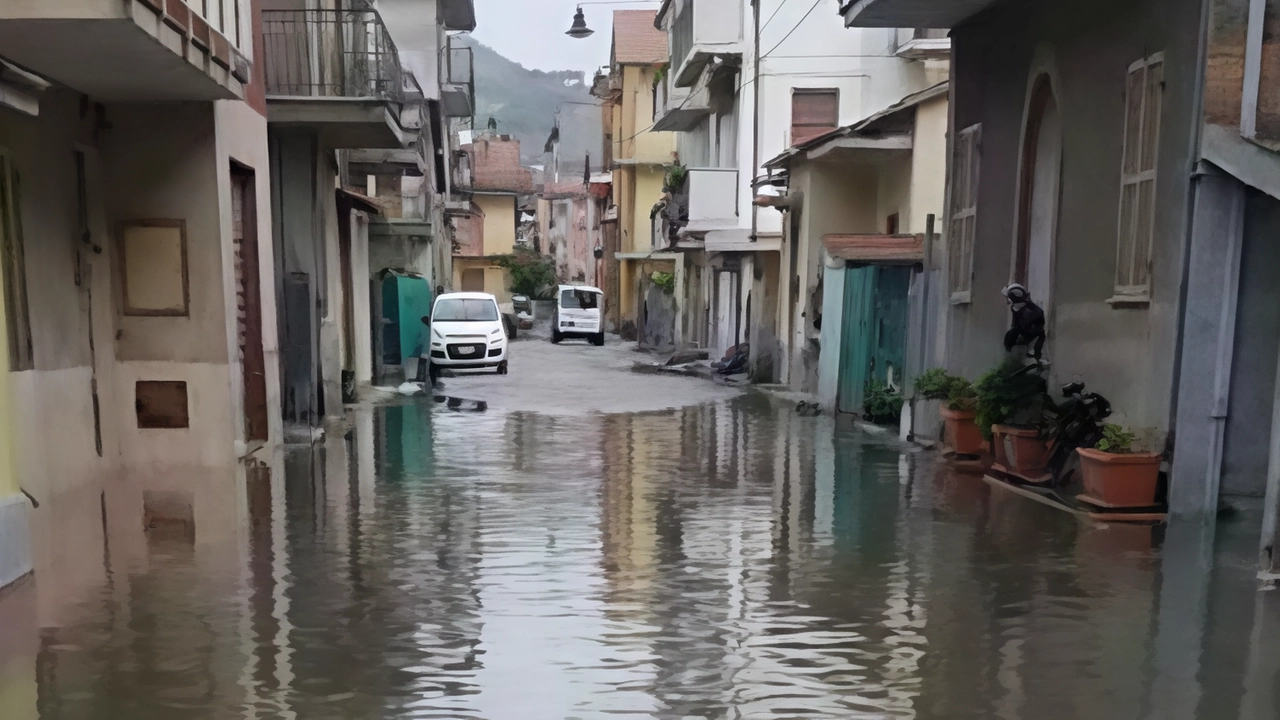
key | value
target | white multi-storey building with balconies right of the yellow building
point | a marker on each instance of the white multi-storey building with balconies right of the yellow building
(733, 113)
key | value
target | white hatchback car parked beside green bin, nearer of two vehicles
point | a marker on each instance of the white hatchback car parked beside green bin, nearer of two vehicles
(468, 332)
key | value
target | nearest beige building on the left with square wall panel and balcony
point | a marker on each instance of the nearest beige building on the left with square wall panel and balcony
(135, 213)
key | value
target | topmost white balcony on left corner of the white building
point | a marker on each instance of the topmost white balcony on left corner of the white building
(703, 30)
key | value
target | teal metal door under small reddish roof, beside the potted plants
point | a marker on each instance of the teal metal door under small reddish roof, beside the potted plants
(874, 338)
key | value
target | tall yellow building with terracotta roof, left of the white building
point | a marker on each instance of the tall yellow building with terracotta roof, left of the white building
(639, 157)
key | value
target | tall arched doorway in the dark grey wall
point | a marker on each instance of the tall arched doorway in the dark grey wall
(1041, 179)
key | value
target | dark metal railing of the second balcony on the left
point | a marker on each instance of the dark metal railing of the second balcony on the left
(331, 54)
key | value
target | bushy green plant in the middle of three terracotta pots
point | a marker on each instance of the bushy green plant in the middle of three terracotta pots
(1012, 402)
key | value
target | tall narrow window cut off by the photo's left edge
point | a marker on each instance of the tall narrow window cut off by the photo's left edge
(15, 268)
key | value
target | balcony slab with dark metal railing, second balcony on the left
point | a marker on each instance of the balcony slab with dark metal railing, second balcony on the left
(336, 74)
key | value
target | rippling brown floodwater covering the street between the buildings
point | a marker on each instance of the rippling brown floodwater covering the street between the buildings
(720, 562)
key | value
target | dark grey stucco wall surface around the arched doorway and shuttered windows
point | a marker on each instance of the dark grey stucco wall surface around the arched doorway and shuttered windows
(1086, 49)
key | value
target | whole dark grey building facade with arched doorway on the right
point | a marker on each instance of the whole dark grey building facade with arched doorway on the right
(1121, 161)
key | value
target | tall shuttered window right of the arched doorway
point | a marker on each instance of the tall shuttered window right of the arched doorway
(1139, 179)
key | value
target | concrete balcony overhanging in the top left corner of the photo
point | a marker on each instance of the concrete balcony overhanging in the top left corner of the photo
(131, 51)
